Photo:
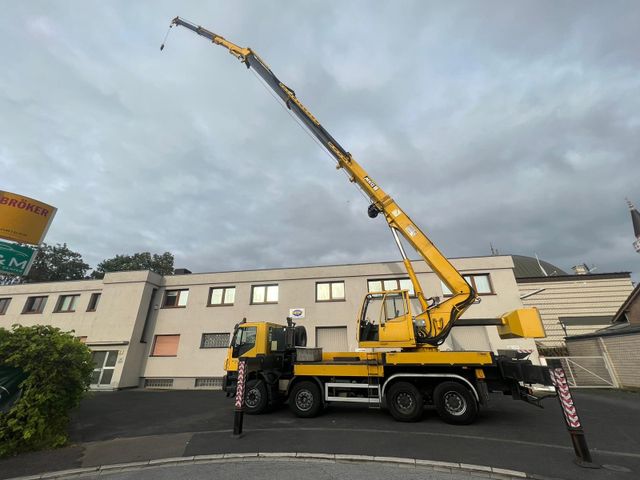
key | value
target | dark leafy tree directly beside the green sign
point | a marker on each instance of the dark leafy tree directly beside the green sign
(56, 263)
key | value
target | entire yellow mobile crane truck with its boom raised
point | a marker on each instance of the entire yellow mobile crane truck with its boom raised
(401, 368)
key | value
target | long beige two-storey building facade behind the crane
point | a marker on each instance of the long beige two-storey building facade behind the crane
(149, 330)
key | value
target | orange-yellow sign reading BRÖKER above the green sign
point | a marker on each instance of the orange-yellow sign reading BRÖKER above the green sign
(23, 219)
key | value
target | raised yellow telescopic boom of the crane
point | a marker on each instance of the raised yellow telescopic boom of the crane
(439, 318)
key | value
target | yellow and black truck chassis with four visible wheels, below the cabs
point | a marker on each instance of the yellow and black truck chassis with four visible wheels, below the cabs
(401, 382)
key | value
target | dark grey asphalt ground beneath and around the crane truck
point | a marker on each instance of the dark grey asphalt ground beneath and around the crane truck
(115, 427)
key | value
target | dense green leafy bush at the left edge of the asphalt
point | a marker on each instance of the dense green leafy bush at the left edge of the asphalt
(58, 369)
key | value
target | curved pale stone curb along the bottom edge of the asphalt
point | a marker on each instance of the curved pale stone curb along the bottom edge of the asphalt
(448, 467)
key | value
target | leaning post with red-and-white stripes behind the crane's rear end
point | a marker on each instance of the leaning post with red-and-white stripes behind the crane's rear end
(578, 439)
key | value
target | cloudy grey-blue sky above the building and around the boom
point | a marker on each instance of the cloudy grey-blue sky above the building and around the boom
(511, 124)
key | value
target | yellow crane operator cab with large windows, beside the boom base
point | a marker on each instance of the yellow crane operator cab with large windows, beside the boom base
(386, 321)
